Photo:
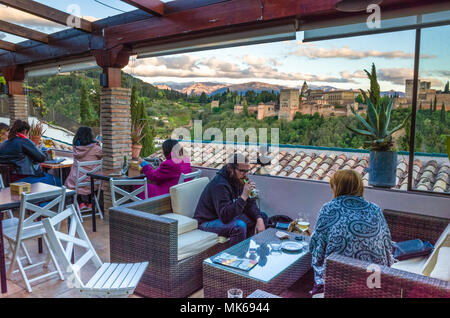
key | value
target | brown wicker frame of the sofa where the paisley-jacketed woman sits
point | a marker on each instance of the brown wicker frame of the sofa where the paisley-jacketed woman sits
(347, 277)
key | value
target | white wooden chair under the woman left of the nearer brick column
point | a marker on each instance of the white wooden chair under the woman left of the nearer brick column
(83, 181)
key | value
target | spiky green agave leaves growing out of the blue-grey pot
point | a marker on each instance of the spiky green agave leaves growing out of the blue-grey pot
(377, 125)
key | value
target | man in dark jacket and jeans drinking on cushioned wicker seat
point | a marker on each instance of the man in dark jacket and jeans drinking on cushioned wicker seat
(225, 207)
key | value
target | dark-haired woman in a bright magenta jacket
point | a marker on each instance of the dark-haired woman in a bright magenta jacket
(168, 173)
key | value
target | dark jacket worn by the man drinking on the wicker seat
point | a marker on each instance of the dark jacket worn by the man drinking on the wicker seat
(222, 200)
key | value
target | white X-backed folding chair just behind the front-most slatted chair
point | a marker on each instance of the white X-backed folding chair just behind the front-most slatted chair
(28, 229)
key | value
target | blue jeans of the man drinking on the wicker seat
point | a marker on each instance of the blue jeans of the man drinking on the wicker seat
(239, 229)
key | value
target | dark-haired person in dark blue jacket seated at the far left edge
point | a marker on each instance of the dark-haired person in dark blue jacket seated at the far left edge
(25, 156)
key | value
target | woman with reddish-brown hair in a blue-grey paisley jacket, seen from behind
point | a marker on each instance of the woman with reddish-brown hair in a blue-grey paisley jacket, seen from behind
(349, 225)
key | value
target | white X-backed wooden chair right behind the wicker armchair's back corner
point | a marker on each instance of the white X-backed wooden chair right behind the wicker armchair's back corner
(127, 196)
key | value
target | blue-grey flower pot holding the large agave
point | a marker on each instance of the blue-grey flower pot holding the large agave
(382, 169)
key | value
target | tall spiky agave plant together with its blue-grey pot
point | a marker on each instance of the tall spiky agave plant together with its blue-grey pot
(383, 158)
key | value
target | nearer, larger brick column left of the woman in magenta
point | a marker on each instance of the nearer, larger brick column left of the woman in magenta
(115, 119)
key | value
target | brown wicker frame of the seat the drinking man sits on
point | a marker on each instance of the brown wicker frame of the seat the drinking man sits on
(138, 233)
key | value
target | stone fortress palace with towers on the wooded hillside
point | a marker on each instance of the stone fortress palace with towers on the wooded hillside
(335, 103)
